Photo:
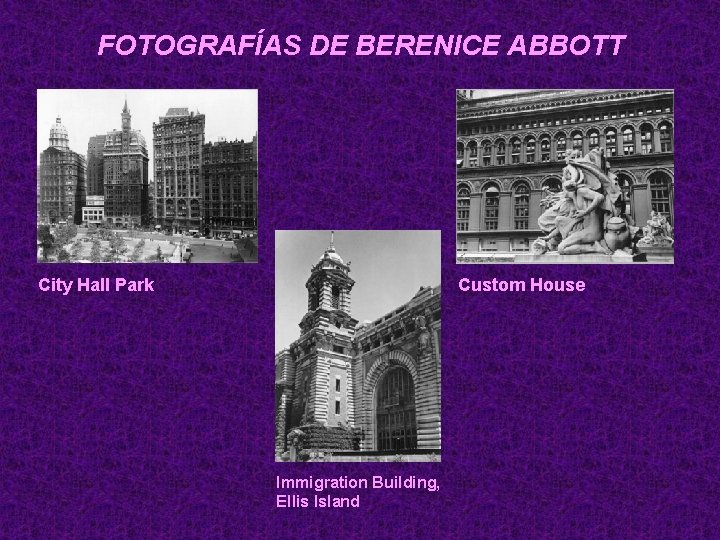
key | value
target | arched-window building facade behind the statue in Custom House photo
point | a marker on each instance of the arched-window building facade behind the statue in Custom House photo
(512, 147)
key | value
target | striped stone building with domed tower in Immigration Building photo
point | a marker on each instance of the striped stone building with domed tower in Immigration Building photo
(381, 378)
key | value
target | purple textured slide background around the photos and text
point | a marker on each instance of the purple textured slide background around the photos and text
(151, 416)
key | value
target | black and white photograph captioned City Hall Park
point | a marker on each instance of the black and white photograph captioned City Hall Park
(147, 176)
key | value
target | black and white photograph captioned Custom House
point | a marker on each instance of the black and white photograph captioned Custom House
(565, 176)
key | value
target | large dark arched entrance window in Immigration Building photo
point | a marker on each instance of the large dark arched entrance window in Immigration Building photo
(395, 409)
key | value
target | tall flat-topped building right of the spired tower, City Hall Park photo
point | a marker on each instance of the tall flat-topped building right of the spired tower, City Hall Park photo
(178, 139)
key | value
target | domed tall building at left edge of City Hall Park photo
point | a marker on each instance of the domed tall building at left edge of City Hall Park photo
(61, 180)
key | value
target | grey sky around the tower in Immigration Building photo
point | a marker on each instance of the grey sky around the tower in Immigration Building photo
(388, 268)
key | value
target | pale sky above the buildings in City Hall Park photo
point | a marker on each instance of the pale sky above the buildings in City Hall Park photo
(228, 113)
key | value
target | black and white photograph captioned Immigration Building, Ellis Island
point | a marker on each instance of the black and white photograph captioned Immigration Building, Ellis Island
(359, 380)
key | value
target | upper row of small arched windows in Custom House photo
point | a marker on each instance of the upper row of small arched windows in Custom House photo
(531, 149)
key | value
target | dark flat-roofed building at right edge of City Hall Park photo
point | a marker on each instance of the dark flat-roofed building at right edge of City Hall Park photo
(230, 184)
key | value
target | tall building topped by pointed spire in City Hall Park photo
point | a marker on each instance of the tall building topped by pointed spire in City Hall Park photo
(125, 171)
